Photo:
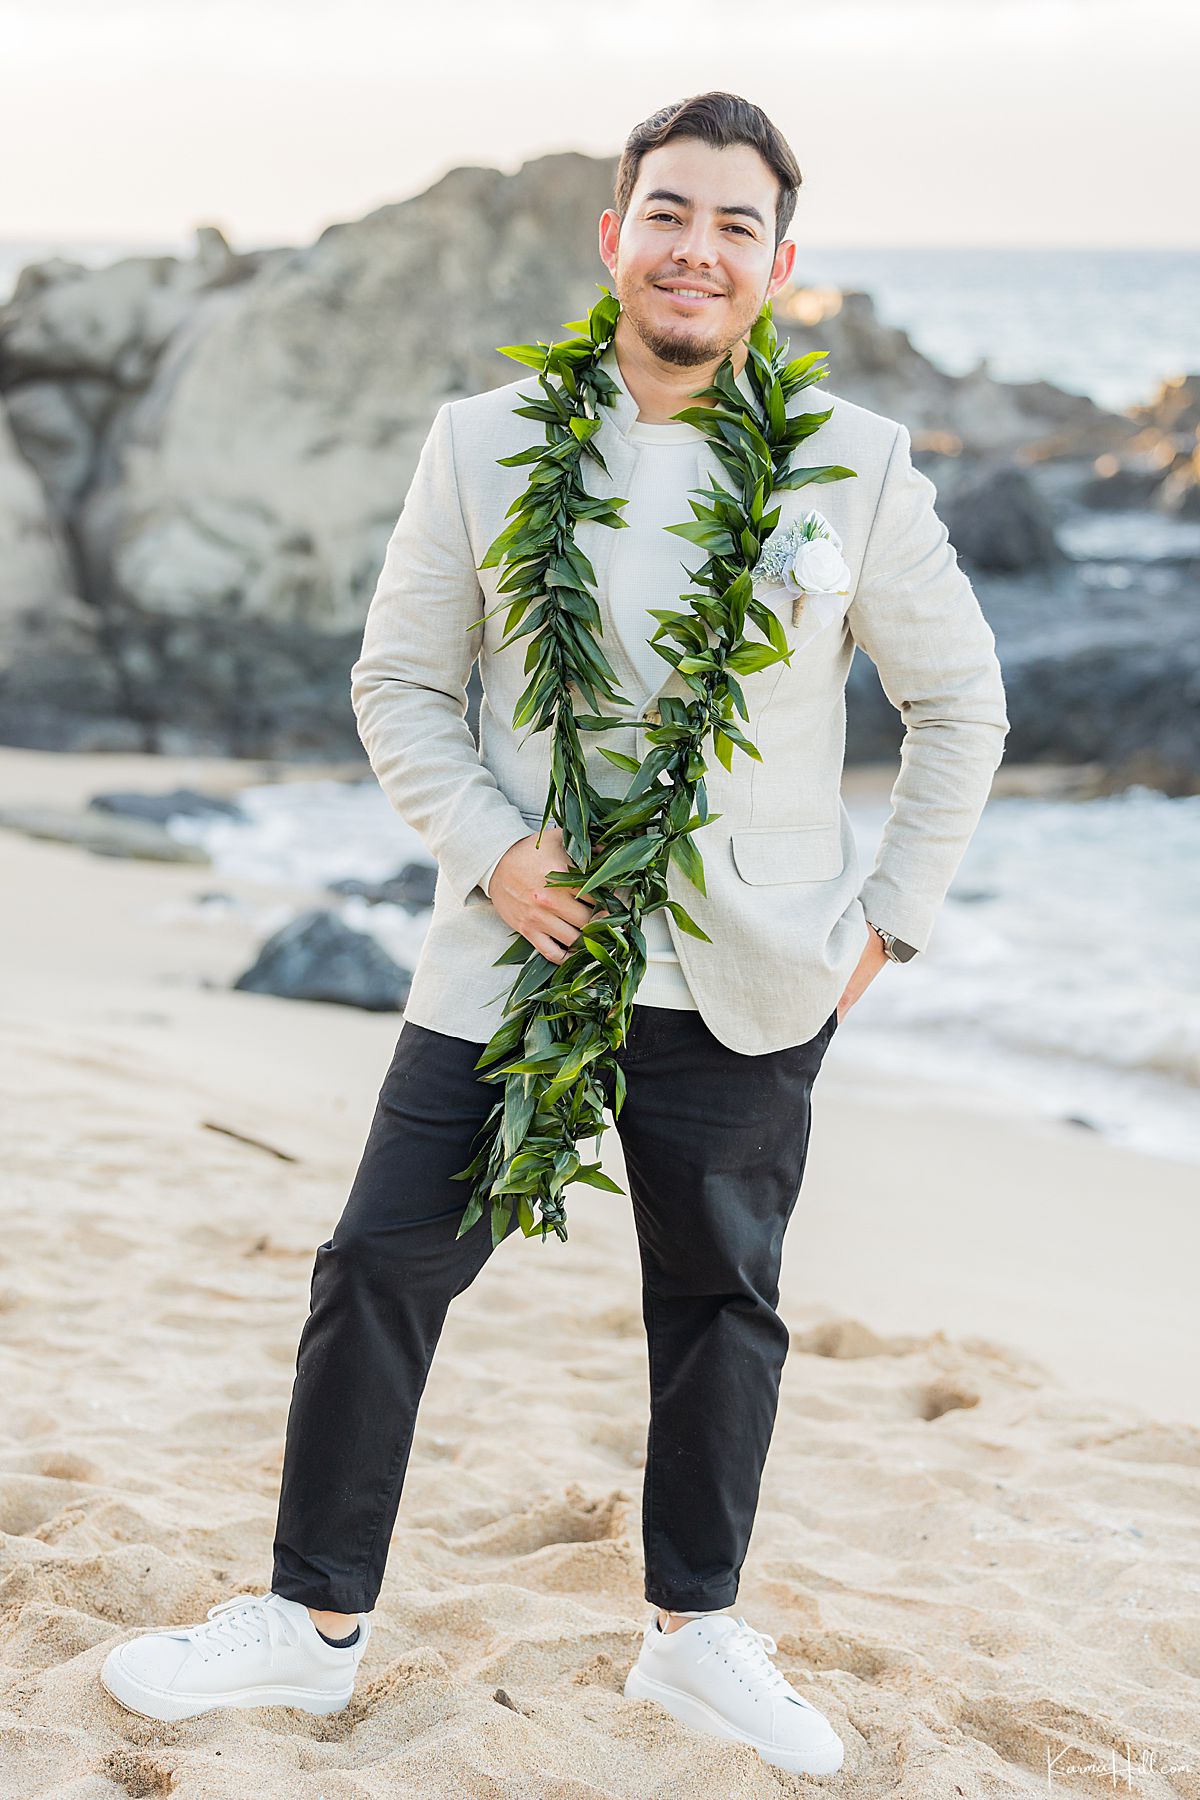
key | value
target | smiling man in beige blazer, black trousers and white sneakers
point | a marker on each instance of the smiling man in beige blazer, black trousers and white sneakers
(728, 1038)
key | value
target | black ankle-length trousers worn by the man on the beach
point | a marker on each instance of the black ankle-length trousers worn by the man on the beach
(715, 1147)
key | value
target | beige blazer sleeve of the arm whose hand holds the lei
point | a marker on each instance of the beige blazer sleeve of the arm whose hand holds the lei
(409, 683)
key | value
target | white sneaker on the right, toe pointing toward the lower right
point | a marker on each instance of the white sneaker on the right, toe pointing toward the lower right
(717, 1677)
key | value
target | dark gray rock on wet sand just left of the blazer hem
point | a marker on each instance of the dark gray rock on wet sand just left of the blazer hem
(319, 958)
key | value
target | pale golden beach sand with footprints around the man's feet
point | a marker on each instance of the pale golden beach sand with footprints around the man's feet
(980, 1533)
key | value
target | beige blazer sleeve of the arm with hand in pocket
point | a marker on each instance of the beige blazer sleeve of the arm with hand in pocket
(917, 616)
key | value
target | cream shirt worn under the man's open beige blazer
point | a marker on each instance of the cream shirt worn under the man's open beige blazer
(652, 568)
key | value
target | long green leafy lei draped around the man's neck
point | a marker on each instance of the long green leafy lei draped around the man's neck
(566, 1021)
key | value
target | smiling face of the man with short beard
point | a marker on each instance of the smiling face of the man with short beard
(699, 219)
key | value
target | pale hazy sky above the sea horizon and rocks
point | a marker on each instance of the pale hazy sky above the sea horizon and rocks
(1003, 123)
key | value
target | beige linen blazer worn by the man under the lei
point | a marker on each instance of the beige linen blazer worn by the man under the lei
(785, 906)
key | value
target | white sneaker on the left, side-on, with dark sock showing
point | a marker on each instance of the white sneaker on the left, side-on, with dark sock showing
(256, 1651)
